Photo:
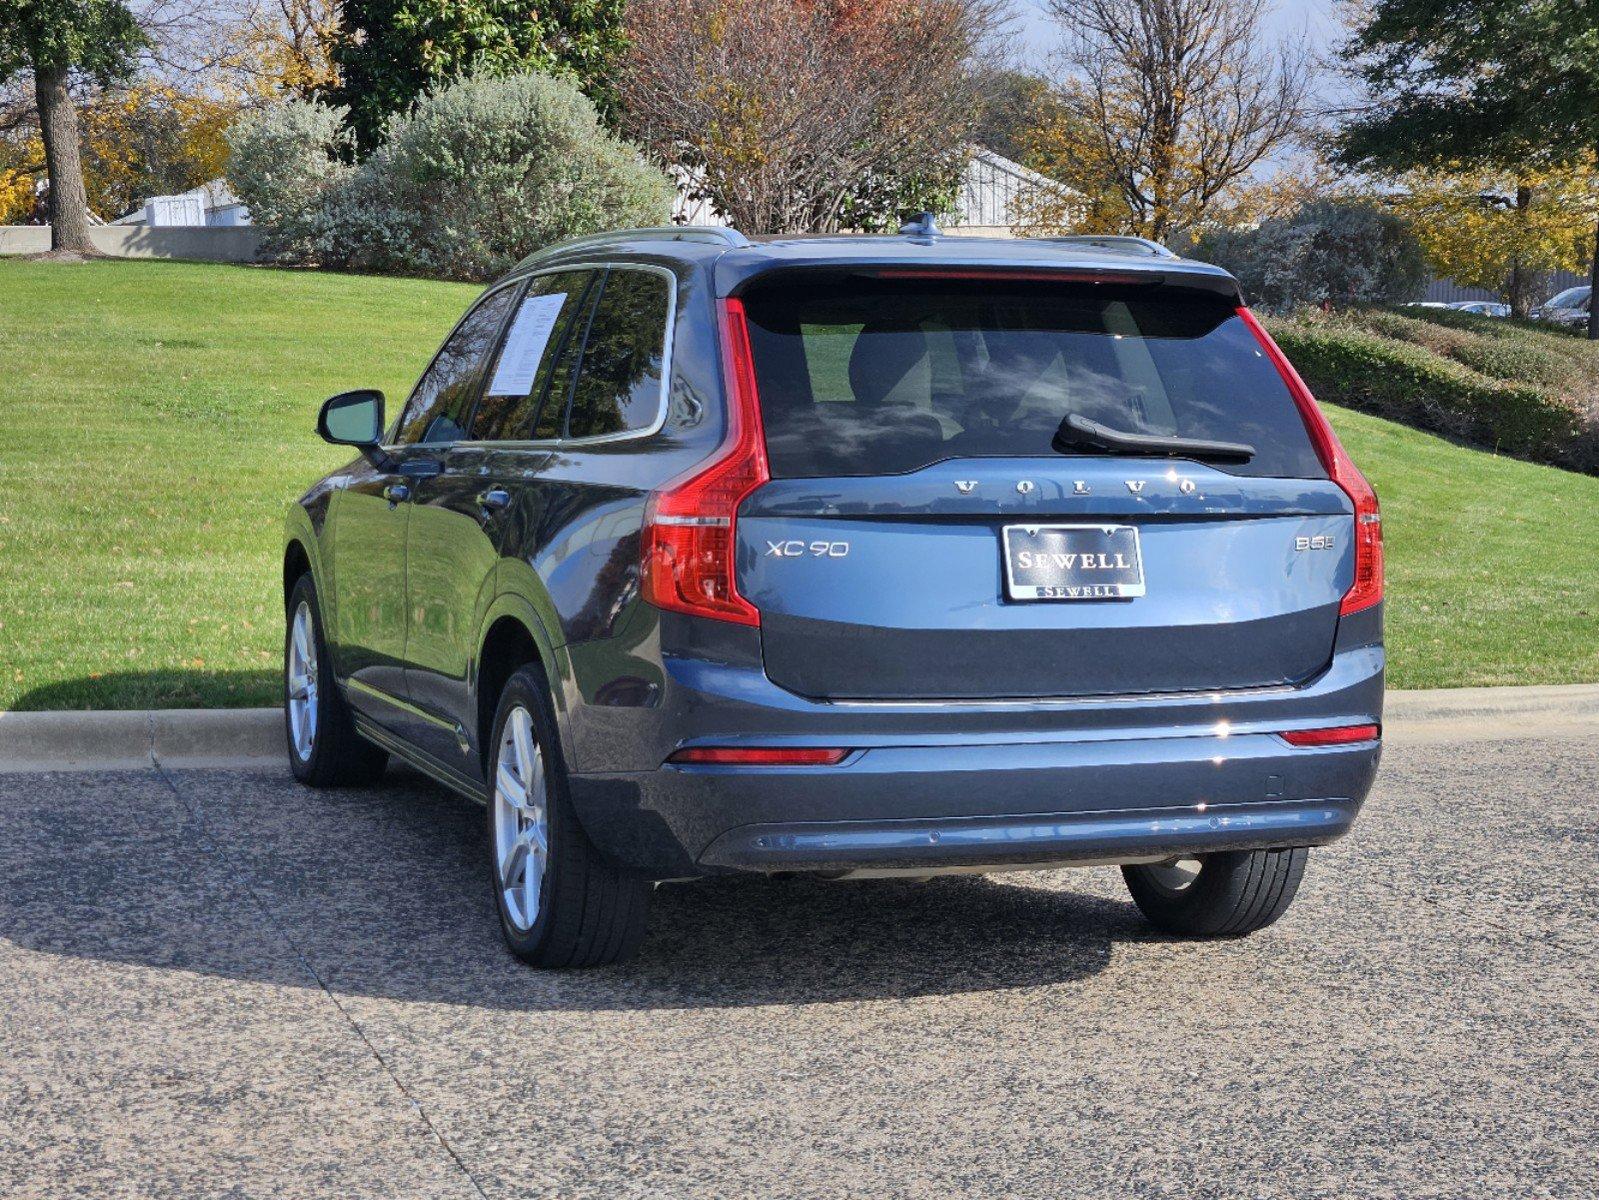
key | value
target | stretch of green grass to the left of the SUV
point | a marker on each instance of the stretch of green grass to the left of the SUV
(159, 422)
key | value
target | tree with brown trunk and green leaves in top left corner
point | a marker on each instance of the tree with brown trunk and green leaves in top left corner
(55, 39)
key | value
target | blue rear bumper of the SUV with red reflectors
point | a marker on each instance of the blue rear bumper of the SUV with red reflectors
(981, 806)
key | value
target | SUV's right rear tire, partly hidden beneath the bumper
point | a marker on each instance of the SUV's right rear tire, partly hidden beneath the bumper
(1229, 897)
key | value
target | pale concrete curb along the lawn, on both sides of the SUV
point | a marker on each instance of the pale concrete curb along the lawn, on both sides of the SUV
(110, 742)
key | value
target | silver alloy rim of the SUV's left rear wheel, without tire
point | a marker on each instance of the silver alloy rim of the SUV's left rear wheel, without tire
(522, 823)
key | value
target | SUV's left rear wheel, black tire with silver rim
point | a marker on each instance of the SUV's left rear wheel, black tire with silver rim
(559, 900)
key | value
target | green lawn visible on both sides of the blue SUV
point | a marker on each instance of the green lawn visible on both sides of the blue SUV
(161, 418)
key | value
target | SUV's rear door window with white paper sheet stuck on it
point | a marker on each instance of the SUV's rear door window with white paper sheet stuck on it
(520, 375)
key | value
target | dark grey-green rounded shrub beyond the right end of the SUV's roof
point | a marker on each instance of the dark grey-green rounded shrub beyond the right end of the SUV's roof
(1334, 252)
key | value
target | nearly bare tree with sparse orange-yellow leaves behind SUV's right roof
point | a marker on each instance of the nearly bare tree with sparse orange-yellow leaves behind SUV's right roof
(1176, 102)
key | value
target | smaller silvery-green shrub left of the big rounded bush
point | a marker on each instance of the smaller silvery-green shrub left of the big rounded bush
(287, 164)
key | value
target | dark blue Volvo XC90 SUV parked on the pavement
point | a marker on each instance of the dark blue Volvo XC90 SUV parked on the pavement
(850, 556)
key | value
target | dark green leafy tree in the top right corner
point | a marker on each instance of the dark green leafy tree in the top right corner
(1486, 82)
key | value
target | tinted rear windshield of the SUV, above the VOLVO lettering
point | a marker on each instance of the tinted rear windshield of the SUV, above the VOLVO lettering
(885, 377)
